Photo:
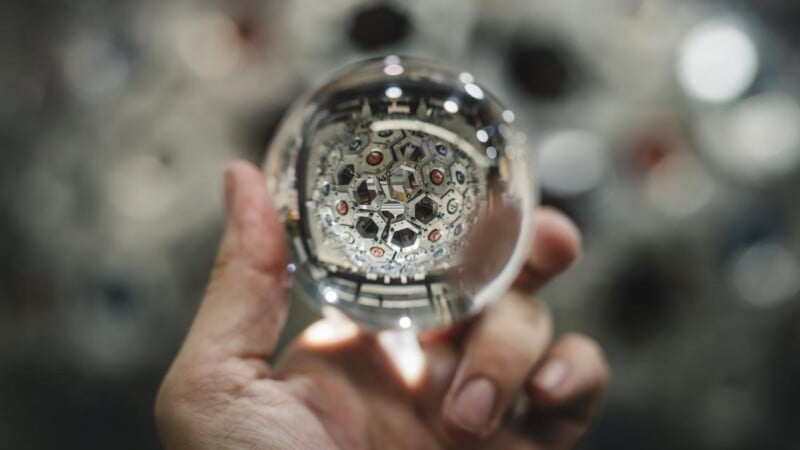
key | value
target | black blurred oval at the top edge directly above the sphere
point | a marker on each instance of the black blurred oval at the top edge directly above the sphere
(378, 26)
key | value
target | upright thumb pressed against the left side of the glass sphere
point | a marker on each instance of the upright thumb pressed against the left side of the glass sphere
(245, 304)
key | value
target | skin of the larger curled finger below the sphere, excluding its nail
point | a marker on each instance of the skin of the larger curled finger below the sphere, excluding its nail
(502, 347)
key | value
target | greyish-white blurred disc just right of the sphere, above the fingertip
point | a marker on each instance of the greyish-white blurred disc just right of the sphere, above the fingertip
(572, 162)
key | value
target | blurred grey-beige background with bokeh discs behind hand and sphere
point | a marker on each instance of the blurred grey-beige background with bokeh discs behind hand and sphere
(668, 130)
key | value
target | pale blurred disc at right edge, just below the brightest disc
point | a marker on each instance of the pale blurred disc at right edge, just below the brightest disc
(767, 130)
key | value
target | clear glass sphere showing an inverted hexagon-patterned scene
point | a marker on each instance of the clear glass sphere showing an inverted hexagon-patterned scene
(406, 194)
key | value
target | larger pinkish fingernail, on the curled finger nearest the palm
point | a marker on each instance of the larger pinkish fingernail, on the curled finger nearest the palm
(472, 408)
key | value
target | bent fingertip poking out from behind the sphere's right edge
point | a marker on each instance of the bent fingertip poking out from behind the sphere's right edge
(557, 245)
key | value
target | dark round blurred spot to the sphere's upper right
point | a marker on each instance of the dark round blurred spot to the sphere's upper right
(540, 69)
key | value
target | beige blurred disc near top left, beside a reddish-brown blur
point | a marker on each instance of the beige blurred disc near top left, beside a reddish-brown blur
(209, 44)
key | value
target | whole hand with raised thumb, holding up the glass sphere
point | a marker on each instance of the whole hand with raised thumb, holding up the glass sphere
(220, 392)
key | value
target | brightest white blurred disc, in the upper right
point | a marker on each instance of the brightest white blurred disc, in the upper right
(717, 62)
